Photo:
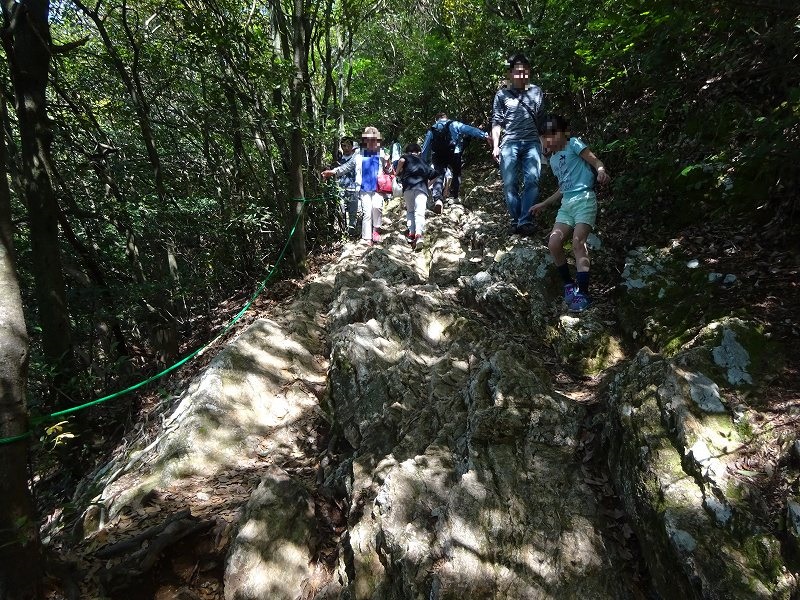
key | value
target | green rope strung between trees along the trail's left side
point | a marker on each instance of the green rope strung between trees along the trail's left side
(42, 419)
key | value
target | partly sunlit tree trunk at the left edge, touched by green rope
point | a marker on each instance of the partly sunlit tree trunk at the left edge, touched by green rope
(20, 559)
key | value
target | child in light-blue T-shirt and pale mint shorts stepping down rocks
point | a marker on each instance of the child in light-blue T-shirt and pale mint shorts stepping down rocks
(572, 162)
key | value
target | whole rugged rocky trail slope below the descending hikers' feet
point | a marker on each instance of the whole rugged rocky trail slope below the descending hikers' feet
(435, 425)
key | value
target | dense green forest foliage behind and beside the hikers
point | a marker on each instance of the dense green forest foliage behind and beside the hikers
(694, 107)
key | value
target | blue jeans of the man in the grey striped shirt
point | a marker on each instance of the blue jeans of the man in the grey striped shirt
(520, 157)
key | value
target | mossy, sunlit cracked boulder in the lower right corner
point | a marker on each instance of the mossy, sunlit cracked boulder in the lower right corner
(665, 459)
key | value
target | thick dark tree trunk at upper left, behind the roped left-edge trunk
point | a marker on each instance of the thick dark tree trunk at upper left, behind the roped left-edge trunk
(26, 39)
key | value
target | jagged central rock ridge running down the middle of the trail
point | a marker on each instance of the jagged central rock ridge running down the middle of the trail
(463, 477)
